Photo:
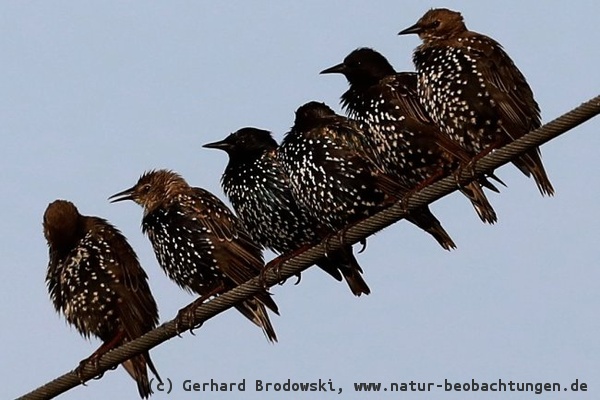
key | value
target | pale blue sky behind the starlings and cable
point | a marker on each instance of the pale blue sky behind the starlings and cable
(94, 93)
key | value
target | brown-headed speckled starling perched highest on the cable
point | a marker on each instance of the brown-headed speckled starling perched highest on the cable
(472, 89)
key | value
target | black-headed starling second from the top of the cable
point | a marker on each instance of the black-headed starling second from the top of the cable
(409, 145)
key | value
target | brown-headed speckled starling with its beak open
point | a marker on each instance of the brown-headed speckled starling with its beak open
(199, 242)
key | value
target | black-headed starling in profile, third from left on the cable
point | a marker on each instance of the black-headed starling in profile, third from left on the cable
(259, 190)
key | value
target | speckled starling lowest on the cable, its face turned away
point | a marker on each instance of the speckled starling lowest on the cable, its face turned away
(95, 280)
